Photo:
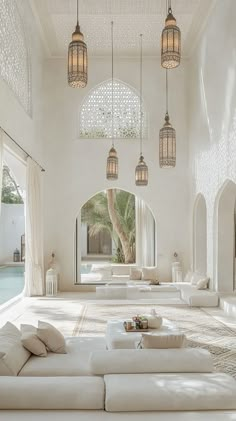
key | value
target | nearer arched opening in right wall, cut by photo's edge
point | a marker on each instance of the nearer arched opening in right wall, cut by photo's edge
(225, 238)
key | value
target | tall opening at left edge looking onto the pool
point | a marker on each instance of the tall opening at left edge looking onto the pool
(12, 227)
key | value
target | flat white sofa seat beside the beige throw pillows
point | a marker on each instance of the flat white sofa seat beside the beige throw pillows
(74, 363)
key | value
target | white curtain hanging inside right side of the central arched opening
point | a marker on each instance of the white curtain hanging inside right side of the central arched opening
(145, 234)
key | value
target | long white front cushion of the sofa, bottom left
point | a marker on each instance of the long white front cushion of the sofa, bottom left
(52, 393)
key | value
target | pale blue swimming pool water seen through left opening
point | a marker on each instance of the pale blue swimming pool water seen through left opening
(11, 282)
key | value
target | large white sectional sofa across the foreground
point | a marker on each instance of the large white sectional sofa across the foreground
(91, 378)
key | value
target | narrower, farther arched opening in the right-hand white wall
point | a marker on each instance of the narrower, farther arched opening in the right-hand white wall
(200, 235)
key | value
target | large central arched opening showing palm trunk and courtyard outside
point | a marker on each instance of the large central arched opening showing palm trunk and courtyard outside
(114, 227)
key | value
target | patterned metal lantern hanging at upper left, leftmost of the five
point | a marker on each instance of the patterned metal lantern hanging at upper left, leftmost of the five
(77, 60)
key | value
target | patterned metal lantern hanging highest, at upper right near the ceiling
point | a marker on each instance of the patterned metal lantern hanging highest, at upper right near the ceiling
(170, 43)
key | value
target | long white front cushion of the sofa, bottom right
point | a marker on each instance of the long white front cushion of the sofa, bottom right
(169, 392)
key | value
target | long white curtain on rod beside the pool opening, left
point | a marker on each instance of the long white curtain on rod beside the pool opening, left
(34, 272)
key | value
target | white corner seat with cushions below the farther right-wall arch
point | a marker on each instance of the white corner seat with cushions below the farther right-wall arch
(195, 297)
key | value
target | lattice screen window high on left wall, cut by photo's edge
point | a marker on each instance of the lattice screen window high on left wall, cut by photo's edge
(14, 62)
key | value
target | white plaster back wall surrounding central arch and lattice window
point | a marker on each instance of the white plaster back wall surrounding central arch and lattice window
(76, 167)
